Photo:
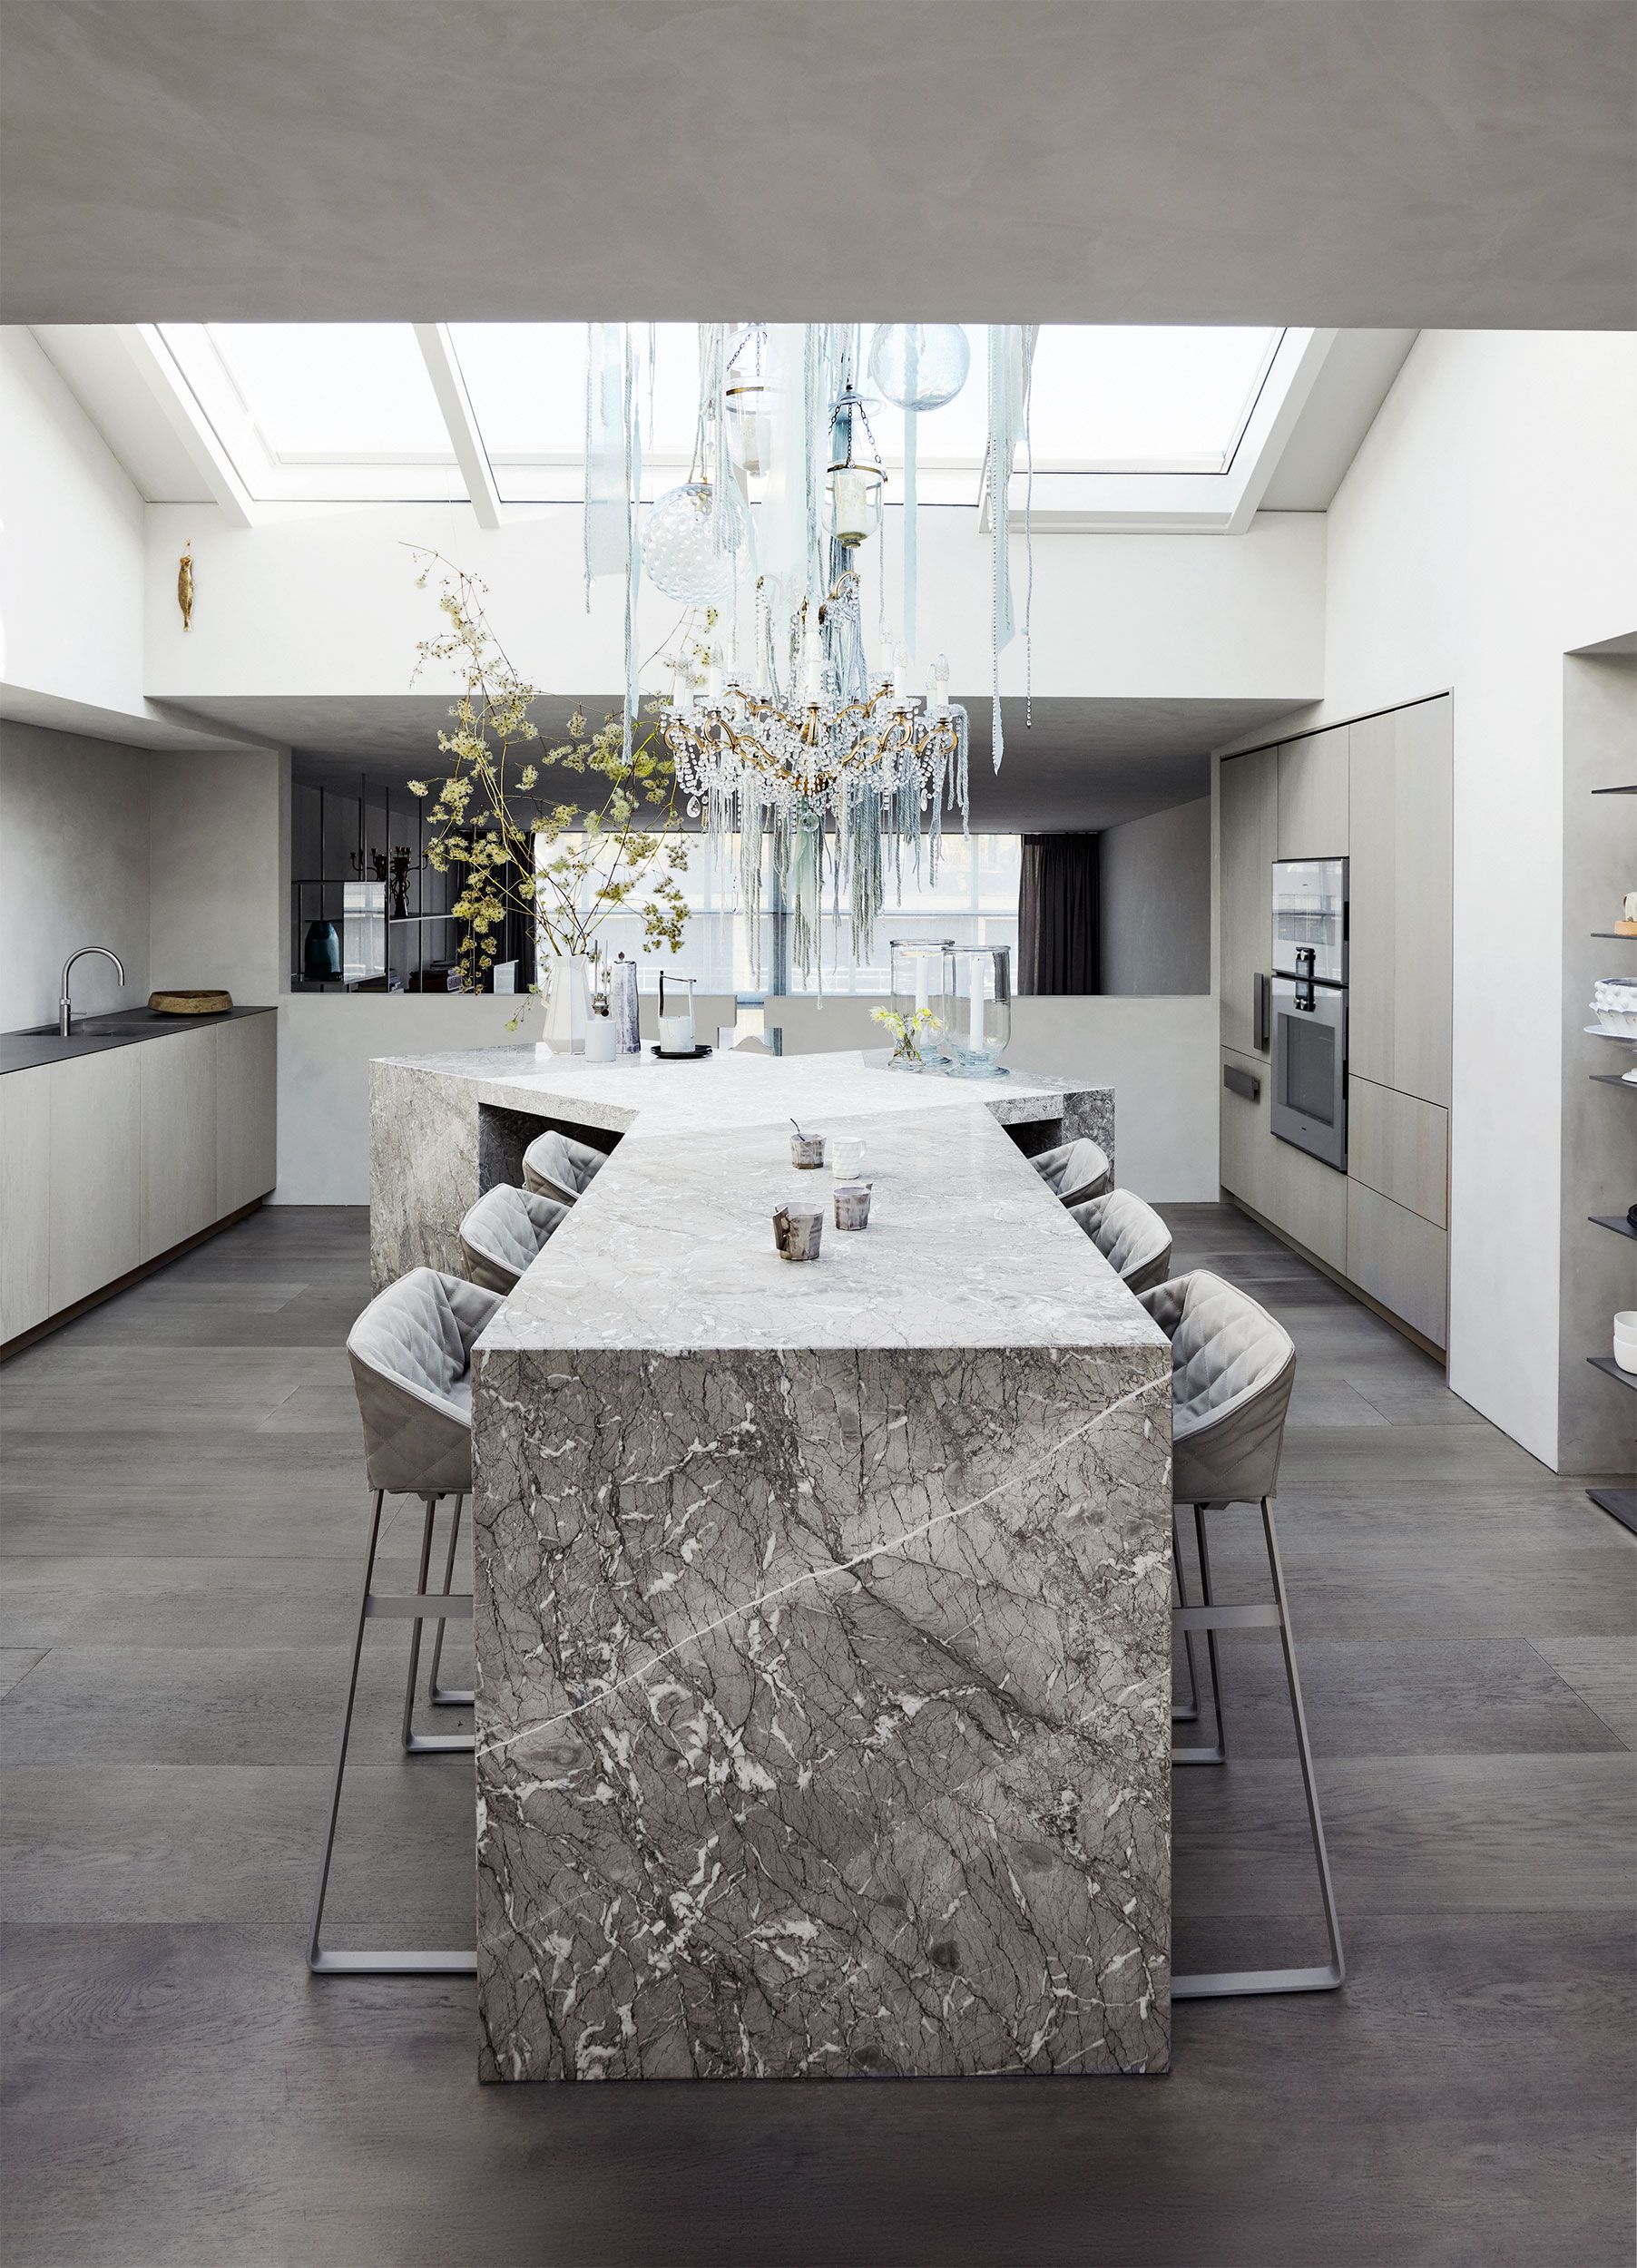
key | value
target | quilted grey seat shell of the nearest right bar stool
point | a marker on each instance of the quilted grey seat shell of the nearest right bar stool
(1232, 1371)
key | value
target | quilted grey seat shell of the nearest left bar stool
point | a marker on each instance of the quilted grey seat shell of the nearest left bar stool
(412, 1366)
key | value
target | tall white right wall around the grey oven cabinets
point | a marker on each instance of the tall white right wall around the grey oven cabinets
(1486, 530)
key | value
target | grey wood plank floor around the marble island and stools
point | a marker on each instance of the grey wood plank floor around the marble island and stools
(183, 1527)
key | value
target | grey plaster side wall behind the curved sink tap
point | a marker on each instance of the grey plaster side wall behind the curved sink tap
(74, 872)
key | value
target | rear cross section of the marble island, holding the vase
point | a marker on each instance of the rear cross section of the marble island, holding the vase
(425, 1153)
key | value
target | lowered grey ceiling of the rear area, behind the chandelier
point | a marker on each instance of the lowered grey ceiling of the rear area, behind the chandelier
(1080, 765)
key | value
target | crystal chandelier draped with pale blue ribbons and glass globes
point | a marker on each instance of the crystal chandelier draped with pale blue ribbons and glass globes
(831, 772)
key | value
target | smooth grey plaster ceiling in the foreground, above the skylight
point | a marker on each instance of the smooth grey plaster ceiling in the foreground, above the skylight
(1314, 162)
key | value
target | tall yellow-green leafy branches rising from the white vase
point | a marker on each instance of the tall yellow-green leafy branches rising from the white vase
(620, 845)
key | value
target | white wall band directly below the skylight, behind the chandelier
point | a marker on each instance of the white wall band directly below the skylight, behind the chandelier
(1114, 616)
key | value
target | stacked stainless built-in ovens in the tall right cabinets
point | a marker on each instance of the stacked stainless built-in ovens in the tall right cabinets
(1309, 1008)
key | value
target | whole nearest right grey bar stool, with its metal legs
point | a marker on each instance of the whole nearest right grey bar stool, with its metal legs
(1232, 1376)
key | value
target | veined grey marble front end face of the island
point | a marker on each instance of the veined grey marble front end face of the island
(824, 1711)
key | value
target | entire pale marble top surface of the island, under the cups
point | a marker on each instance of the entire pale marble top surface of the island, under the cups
(672, 1246)
